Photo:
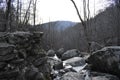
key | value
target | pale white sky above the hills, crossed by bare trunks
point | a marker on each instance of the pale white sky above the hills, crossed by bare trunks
(54, 10)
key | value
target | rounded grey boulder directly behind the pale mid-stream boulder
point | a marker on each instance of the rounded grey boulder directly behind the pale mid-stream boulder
(70, 53)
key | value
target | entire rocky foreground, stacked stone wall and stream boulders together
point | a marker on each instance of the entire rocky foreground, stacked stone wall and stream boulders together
(21, 58)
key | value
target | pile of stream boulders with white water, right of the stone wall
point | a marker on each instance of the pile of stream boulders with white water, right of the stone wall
(75, 67)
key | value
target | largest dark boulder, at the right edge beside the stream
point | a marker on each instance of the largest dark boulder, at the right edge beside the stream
(106, 60)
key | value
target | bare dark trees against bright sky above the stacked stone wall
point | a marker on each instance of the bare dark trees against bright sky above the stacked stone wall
(17, 14)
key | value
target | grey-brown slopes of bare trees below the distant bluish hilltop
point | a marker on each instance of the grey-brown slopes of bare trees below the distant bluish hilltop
(103, 29)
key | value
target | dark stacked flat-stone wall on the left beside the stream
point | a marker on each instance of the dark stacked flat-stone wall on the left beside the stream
(21, 57)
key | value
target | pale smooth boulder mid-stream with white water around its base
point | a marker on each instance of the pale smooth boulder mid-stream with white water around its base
(75, 61)
